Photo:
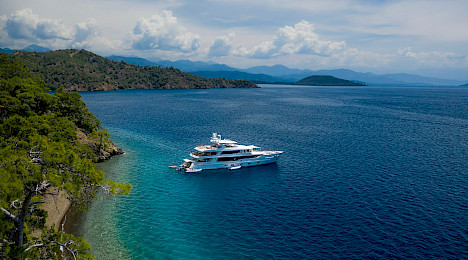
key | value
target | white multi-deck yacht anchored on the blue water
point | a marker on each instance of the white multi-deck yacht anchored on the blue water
(226, 154)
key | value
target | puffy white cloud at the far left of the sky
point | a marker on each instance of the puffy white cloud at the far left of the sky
(24, 24)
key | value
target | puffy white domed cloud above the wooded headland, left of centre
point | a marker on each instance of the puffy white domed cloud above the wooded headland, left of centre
(162, 32)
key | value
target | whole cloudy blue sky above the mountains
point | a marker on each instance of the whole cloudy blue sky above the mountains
(428, 38)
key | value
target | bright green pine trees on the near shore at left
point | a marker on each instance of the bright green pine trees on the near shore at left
(40, 150)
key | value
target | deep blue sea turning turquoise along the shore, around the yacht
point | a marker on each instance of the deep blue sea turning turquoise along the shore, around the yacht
(367, 173)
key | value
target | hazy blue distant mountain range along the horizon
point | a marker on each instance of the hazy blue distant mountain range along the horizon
(283, 74)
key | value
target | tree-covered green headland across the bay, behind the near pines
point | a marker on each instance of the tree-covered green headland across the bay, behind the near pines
(85, 71)
